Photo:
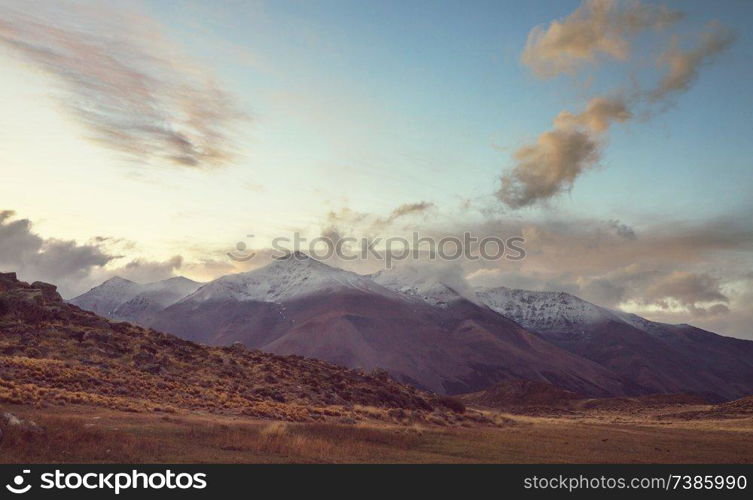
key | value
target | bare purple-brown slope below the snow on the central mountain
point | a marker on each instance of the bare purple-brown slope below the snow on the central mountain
(456, 349)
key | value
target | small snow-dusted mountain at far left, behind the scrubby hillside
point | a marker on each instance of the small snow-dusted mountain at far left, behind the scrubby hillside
(126, 300)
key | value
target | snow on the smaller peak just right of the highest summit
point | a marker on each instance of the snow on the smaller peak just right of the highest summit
(415, 283)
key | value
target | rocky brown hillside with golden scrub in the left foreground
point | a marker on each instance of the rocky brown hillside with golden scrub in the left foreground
(55, 353)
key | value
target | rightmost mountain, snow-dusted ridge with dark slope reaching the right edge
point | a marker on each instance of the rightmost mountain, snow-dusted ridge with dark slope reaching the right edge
(655, 357)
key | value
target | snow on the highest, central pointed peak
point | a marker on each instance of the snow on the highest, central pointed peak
(294, 276)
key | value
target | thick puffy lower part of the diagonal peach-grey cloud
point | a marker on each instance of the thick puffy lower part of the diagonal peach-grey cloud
(551, 165)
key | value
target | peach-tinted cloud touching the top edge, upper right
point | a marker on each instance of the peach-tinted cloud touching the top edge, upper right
(597, 28)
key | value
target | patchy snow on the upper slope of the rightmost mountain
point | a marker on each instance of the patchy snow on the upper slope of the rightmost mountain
(545, 311)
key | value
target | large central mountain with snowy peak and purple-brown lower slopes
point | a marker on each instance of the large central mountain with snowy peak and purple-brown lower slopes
(298, 305)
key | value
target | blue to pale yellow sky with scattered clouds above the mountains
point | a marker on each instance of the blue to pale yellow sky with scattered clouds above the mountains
(147, 140)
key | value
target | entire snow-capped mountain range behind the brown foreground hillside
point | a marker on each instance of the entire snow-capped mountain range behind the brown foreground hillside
(433, 334)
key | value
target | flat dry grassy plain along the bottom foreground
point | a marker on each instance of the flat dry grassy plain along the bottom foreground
(85, 434)
